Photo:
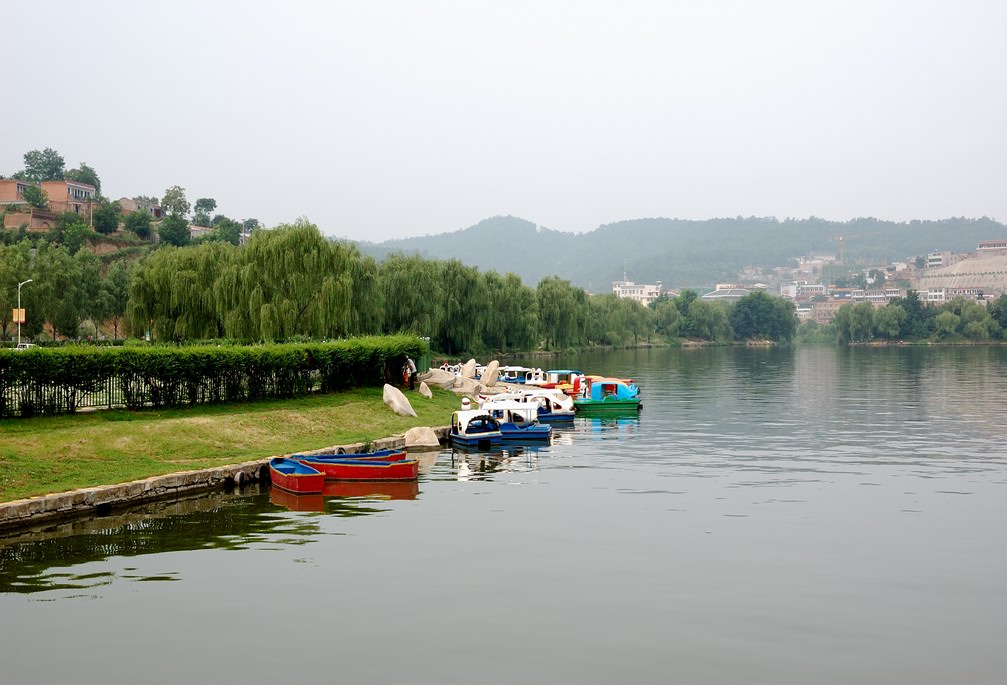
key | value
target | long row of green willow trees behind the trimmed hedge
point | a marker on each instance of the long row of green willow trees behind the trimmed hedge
(293, 284)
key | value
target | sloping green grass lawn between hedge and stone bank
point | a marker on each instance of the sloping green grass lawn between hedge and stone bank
(44, 456)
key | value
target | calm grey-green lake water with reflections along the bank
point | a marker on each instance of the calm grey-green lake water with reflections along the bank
(807, 515)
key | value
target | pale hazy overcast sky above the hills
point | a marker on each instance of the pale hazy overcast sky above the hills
(381, 120)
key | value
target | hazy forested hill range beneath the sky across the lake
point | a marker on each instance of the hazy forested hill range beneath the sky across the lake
(684, 253)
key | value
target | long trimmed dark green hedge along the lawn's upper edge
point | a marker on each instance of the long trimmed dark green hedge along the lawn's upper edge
(60, 380)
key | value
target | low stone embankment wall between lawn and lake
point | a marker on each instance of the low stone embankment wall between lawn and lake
(104, 500)
